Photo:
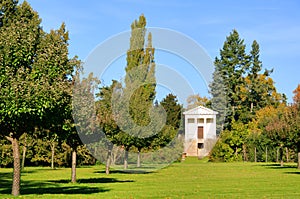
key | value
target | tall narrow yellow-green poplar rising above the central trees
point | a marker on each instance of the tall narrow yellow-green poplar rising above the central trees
(140, 73)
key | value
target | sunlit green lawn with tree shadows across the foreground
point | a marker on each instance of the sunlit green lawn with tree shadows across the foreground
(190, 179)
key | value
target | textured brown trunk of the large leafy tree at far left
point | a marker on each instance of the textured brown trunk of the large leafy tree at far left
(17, 166)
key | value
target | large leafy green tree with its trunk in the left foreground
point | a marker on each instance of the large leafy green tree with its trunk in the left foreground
(34, 70)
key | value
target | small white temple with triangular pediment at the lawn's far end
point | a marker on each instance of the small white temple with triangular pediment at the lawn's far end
(200, 131)
